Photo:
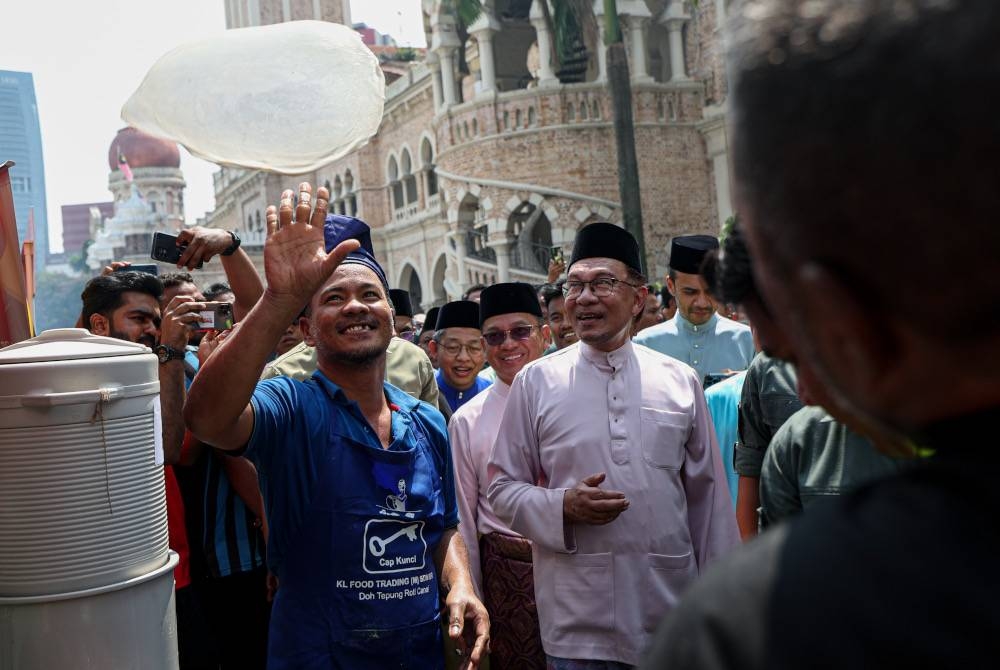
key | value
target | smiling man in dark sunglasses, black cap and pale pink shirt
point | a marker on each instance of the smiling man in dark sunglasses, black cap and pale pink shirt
(515, 334)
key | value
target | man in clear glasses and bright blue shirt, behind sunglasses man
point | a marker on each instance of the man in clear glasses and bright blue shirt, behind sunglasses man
(458, 348)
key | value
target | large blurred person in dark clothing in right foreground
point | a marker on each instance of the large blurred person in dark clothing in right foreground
(846, 180)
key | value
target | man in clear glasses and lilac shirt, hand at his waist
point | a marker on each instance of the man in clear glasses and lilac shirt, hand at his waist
(606, 460)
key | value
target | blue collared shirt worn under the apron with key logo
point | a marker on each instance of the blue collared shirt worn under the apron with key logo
(291, 430)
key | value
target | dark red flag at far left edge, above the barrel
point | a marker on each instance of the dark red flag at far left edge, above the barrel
(15, 323)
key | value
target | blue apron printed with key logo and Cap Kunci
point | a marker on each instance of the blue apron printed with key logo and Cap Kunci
(358, 585)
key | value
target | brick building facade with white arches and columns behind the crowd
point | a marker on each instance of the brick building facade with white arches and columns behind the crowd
(490, 151)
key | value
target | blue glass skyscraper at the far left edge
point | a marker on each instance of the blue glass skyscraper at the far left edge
(21, 142)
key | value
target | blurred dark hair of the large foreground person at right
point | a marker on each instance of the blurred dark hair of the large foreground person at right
(848, 153)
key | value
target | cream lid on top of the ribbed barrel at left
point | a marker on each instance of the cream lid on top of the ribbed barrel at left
(63, 344)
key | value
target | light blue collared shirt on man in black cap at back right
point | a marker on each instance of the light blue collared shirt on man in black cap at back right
(717, 345)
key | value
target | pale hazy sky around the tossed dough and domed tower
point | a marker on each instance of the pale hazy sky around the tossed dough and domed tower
(88, 57)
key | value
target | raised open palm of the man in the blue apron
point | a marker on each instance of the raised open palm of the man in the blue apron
(295, 259)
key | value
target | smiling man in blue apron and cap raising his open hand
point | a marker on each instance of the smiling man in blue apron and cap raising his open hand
(357, 475)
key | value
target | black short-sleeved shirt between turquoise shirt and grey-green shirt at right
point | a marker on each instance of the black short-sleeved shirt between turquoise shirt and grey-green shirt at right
(769, 398)
